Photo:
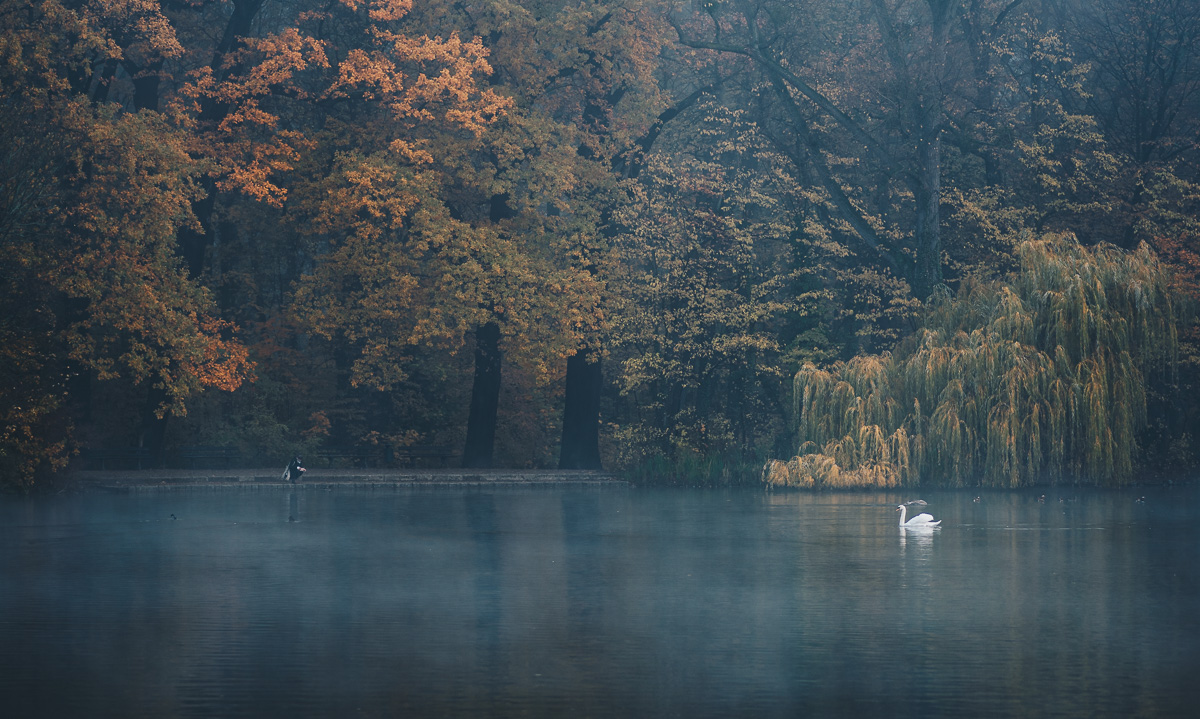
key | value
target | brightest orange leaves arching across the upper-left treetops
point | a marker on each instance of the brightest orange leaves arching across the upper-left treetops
(235, 109)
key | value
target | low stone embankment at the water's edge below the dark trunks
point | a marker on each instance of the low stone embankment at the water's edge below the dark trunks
(165, 480)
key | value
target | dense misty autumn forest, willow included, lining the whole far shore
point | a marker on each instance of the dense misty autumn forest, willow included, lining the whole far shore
(859, 243)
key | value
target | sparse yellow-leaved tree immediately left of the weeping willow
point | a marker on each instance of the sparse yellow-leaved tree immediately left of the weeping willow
(710, 293)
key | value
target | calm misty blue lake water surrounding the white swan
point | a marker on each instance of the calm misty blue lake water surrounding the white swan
(598, 602)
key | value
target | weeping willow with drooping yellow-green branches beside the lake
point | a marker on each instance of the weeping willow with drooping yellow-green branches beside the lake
(1037, 380)
